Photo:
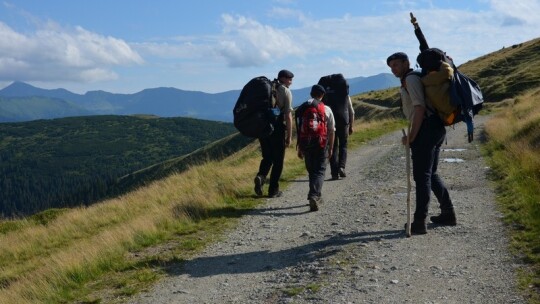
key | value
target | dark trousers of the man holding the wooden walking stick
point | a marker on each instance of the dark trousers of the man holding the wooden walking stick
(425, 159)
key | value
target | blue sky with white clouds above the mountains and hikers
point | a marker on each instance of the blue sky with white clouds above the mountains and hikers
(125, 46)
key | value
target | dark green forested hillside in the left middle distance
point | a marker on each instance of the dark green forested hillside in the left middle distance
(77, 161)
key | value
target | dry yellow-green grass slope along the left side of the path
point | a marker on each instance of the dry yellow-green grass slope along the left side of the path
(120, 246)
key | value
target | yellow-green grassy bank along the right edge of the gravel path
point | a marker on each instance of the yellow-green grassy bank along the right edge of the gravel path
(513, 152)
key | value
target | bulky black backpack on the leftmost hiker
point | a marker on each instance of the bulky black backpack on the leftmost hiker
(255, 111)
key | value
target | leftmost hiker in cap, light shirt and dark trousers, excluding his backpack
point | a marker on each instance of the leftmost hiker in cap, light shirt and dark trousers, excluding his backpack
(273, 146)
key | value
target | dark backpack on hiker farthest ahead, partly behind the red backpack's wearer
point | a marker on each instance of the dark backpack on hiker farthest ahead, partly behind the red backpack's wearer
(336, 97)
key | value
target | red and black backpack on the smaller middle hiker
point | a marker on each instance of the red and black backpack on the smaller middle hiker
(311, 125)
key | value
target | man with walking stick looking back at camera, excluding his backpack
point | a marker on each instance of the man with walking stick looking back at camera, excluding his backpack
(427, 133)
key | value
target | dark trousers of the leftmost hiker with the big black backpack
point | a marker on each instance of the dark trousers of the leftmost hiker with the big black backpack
(273, 153)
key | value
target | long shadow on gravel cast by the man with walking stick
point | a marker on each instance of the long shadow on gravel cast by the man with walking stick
(264, 260)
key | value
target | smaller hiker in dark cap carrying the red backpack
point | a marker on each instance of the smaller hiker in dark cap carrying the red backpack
(315, 126)
